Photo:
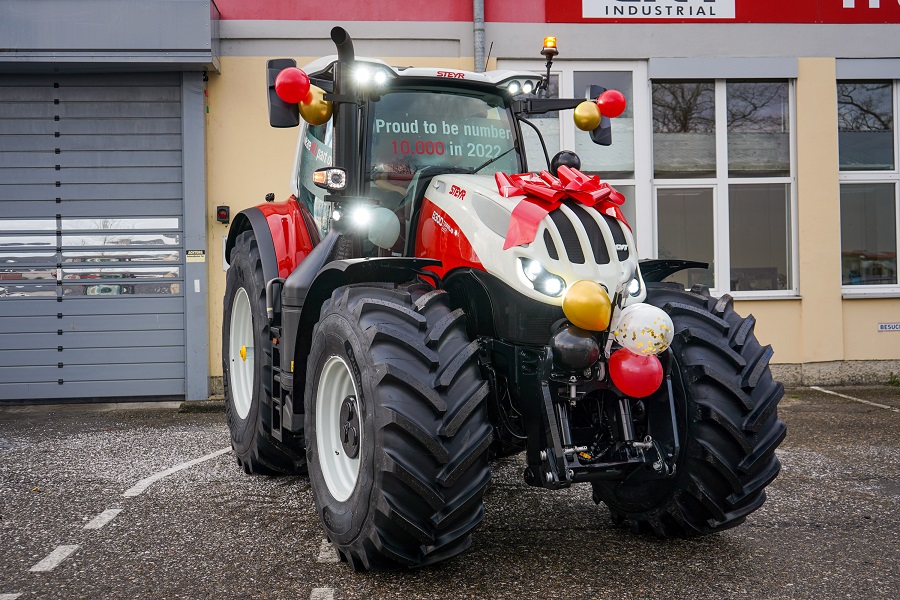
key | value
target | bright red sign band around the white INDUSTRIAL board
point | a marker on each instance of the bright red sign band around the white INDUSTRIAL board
(722, 11)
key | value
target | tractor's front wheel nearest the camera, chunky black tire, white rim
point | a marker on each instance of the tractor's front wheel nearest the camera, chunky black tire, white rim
(397, 426)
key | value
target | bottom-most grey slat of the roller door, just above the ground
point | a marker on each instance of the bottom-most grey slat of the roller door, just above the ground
(91, 389)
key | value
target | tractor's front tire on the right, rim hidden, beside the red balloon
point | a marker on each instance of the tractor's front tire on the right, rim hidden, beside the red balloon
(726, 403)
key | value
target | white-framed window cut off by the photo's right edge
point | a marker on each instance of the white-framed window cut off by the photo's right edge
(870, 185)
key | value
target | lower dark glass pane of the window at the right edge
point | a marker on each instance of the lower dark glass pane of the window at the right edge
(868, 234)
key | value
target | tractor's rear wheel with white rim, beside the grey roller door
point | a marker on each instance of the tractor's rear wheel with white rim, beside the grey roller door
(247, 367)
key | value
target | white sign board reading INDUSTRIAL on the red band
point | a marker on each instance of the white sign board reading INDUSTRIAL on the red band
(657, 9)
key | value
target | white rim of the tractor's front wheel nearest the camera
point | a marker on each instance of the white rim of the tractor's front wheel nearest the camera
(339, 470)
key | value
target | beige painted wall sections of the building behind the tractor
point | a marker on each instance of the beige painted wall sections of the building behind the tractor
(247, 159)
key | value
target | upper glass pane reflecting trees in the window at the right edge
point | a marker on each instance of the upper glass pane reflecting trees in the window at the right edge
(866, 125)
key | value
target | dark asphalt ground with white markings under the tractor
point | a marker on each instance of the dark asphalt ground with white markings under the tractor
(139, 500)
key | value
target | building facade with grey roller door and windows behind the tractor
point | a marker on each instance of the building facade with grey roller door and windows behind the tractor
(759, 138)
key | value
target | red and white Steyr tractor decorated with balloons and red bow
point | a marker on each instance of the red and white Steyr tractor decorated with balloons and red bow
(426, 301)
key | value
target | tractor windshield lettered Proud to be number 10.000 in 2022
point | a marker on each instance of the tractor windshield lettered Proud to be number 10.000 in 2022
(411, 130)
